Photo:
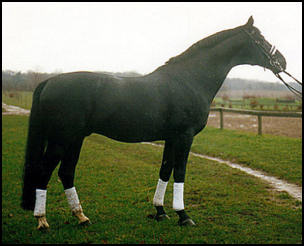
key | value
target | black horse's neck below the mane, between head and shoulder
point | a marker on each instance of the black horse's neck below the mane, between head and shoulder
(207, 71)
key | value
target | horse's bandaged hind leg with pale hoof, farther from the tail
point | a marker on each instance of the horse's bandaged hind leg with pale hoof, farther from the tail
(66, 173)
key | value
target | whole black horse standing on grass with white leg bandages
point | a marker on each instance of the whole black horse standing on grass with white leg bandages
(172, 104)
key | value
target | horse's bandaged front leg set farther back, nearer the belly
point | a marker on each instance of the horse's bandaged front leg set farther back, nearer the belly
(164, 176)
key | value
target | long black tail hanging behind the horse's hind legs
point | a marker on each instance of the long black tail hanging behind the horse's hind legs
(36, 142)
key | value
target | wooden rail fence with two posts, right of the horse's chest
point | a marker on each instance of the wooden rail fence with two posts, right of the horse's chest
(259, 114)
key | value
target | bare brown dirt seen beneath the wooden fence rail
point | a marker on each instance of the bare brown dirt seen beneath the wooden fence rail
(290, 127)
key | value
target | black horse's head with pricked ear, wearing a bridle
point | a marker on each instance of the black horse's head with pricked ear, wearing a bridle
(259, 51)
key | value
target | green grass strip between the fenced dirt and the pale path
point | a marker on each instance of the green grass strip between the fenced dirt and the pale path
(276, 155)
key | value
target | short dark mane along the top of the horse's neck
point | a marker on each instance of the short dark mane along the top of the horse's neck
(205, 43)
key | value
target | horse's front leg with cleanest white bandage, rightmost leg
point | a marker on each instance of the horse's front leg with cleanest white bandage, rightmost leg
(181, 152)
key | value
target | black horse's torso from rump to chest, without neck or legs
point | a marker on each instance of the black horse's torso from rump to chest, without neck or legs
(127, 109)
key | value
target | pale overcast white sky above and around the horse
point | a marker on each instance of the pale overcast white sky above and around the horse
(120, 37)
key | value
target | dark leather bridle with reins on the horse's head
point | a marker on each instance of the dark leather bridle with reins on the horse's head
(270, 55)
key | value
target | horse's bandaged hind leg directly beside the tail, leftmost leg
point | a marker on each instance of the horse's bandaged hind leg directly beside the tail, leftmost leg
(50, 160)
